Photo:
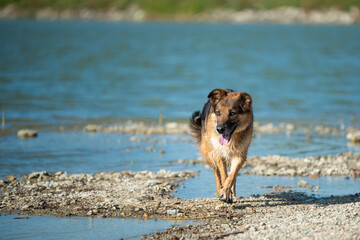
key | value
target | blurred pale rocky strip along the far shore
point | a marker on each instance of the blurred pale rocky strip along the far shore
(282, 15)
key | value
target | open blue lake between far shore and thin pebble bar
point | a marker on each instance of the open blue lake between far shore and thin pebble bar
(66, 72)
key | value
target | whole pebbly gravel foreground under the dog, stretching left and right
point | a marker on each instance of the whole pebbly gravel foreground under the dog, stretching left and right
(277, 215)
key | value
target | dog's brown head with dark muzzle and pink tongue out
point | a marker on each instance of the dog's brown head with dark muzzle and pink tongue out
(233, 112)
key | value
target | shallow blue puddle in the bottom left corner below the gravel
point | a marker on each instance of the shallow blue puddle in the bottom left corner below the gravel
(36, 227)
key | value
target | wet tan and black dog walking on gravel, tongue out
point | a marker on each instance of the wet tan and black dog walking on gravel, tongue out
(223, 131)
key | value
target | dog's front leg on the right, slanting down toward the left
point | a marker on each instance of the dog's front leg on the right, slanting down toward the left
(228, 191)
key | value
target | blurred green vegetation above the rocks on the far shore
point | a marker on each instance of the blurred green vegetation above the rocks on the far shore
(179, 6)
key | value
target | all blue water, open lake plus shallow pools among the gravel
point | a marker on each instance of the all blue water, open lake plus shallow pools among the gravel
(69, 74)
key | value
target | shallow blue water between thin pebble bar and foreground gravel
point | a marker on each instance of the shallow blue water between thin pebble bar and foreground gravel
(75, 152)
